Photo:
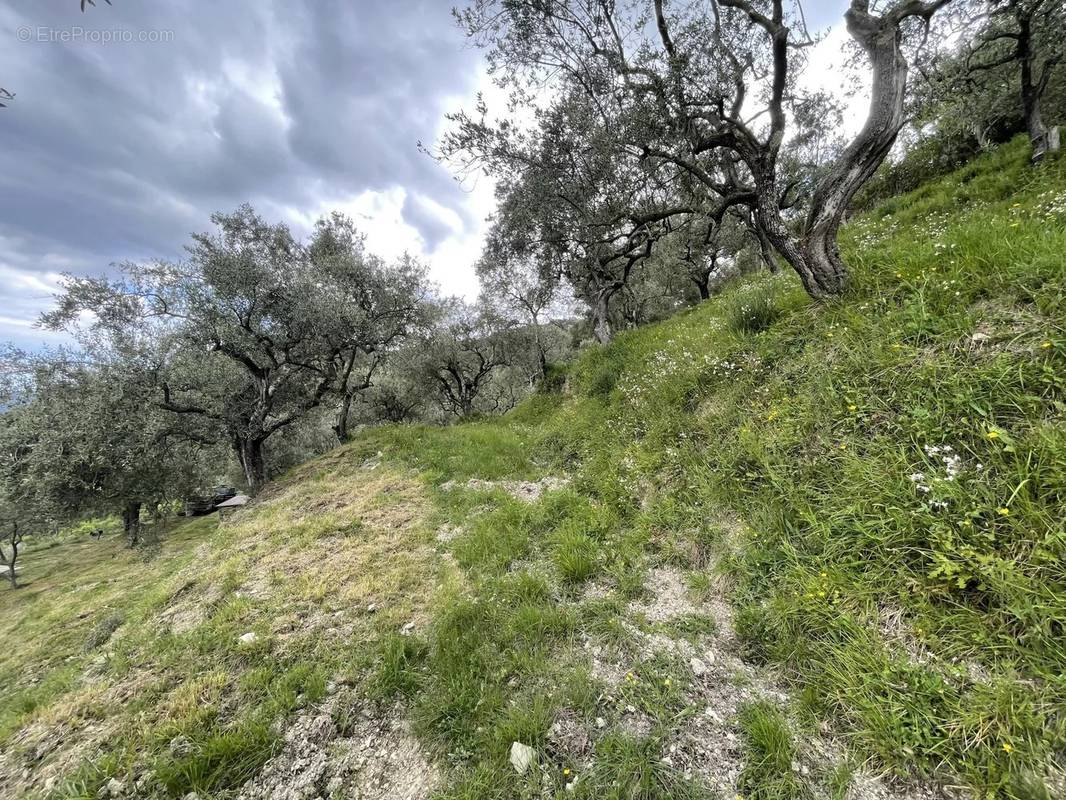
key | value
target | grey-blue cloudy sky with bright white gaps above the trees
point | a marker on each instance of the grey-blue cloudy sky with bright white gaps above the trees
(119, 150)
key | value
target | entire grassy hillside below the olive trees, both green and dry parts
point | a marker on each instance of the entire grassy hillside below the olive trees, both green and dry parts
(766, 548)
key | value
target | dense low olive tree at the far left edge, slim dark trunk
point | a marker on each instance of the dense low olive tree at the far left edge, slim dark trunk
(82, 437)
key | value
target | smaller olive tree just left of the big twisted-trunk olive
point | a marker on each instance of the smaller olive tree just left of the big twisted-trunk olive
(575, 203)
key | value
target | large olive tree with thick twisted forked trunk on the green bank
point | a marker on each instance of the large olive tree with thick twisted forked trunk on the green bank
(710, 86)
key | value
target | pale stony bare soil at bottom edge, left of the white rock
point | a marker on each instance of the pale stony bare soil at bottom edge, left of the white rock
(345, 749)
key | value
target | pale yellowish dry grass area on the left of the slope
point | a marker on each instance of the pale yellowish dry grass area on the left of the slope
(300, 567)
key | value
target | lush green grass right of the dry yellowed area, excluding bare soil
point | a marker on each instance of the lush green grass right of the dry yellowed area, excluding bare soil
(879, 484)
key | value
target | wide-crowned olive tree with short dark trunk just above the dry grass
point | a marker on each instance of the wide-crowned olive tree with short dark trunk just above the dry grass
(239, 351)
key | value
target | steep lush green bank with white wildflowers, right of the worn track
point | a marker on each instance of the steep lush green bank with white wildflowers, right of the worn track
(899, 458)
